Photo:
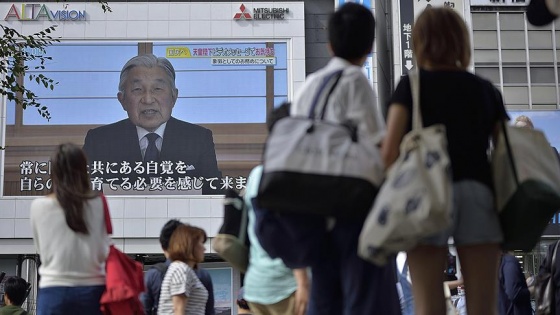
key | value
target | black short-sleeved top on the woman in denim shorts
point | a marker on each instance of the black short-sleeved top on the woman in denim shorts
(468, 106)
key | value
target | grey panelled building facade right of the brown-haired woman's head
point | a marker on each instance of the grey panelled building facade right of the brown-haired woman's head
(521, 59)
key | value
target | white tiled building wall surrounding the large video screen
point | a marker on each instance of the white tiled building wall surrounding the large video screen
(137, 220)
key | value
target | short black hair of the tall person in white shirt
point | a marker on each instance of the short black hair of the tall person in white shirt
(351, 31)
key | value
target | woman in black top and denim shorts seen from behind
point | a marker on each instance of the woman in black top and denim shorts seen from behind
(471, 109)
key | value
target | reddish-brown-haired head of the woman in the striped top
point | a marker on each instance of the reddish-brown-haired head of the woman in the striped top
(187, 244)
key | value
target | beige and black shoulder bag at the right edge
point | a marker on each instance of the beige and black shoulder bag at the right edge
(527, 185)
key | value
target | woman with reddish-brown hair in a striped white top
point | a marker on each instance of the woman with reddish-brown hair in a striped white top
(181, 290)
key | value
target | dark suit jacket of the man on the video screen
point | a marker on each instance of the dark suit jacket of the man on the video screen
(182, 141)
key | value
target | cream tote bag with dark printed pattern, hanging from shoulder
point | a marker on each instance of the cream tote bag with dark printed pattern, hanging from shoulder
(415, 199)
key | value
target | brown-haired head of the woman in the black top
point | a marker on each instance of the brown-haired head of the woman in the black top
(440, 39)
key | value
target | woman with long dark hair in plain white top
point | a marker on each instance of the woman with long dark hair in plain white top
(71, 238)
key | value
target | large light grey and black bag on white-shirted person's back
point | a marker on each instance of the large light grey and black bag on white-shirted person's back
(315, 166)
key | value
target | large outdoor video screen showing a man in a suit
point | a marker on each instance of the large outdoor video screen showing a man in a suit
(210, 125)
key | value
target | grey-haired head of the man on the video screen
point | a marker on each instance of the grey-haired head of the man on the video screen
(147, 90)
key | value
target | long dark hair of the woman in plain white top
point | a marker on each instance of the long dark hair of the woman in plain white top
(71, 183)
